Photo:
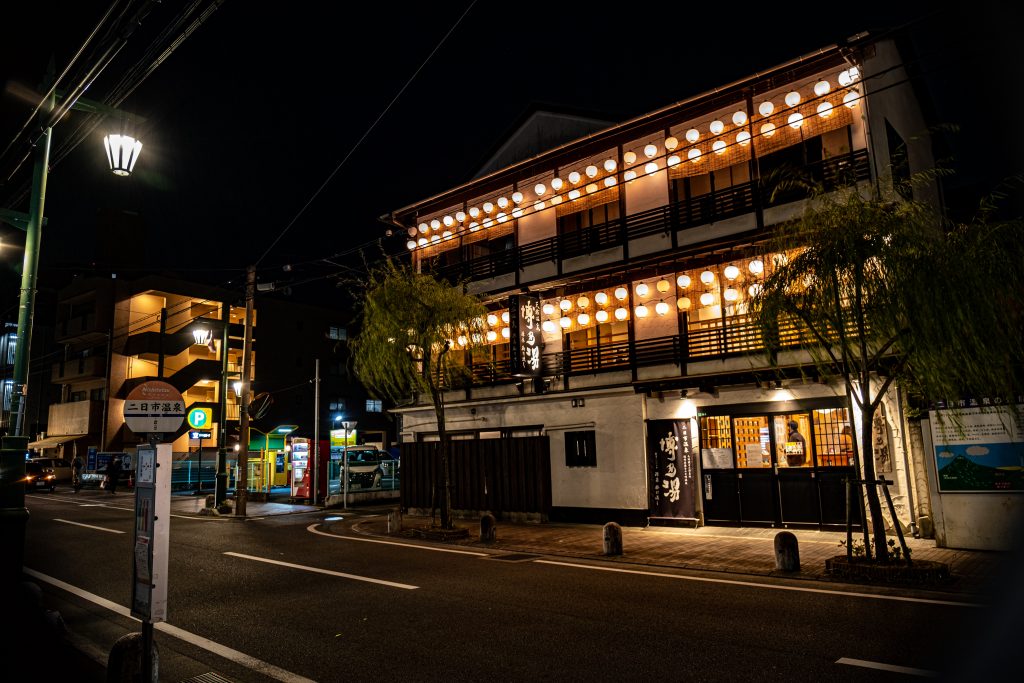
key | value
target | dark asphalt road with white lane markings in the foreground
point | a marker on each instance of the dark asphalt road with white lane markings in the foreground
(296, 599)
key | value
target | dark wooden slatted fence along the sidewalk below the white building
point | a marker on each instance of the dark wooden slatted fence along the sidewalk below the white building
(499, 476)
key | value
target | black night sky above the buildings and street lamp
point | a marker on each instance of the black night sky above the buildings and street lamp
(252, 114)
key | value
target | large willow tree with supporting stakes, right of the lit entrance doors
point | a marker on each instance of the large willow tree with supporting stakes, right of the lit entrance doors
(887, 290)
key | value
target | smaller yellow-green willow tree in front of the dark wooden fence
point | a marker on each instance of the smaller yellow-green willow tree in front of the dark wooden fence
(410, 323)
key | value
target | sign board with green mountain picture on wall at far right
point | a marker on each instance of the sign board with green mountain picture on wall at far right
(979, 450)
